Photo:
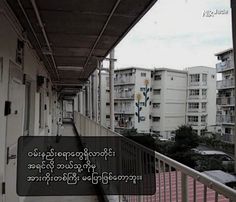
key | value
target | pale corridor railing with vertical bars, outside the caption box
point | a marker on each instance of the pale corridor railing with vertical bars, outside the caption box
(174, 181)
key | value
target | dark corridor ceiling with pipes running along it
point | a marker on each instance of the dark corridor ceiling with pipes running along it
(78, 31)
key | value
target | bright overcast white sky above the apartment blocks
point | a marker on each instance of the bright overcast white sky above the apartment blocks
(175, 34)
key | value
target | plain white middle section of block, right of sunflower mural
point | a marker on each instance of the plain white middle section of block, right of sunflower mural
(168, 107)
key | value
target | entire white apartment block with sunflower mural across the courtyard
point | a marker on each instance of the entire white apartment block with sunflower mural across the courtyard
(174, 97)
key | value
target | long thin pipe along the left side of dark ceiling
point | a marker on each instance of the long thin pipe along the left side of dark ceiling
(44, 33)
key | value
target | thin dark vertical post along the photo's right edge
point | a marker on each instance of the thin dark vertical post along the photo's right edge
(233, 7)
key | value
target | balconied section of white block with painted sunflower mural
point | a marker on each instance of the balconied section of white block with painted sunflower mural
(132, 89)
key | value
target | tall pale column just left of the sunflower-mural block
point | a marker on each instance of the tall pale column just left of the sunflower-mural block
(111, 83)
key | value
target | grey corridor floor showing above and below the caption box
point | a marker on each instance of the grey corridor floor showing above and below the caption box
(67, 130)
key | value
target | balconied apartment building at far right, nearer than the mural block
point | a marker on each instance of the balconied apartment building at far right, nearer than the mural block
(225, 97)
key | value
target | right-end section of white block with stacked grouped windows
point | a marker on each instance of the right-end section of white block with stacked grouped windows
(201, 95)
